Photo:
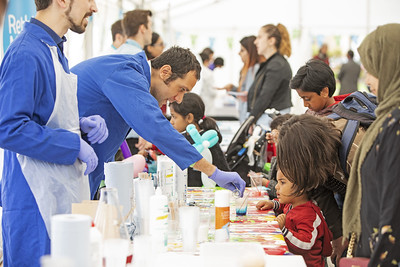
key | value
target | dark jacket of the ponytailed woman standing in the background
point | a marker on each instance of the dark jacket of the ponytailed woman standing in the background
(270, 88)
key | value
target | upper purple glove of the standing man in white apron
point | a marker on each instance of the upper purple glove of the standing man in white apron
(96, 128)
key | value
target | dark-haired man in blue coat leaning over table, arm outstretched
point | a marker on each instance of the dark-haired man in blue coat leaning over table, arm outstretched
(128, 93)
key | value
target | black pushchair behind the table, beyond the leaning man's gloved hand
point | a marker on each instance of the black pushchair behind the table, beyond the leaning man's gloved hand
(246, 153)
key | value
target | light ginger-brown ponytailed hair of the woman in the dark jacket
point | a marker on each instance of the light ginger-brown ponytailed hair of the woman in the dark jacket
(281, 35)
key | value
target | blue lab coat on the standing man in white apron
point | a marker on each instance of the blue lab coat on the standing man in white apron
(27, 95)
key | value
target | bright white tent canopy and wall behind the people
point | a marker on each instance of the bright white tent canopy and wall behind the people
(220, 24)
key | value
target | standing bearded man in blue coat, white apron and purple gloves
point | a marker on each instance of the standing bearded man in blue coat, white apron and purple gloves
(40, 131)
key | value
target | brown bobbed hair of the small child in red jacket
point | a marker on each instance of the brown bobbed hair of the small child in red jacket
(307, 151)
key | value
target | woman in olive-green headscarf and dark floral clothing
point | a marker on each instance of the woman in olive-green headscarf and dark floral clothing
(373, 192)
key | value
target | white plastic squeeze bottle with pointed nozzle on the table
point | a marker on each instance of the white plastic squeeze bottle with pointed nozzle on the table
(158, 221)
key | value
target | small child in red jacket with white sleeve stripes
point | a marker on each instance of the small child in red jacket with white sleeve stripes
(306, 157)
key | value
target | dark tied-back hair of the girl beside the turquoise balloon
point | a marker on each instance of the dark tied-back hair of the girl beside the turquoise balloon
(192, 103)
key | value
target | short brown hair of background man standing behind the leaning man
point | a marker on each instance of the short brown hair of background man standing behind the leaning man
(133, 19)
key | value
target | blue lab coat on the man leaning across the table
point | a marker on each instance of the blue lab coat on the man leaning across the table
(117, 87)
